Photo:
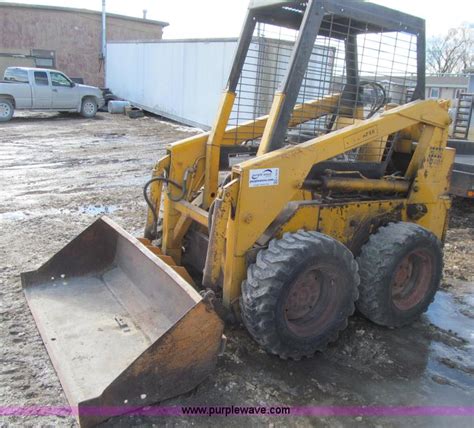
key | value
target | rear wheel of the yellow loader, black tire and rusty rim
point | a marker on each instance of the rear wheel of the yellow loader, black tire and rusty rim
(400, 270)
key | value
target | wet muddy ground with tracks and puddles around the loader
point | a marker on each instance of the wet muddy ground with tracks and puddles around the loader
(58, 173)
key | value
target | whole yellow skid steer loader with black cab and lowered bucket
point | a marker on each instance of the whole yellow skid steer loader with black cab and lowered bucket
(322, 187)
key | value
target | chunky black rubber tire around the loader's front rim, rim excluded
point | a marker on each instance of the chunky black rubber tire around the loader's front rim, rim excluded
(266, 278)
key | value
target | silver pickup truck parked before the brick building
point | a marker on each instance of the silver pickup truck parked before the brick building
(47, 90)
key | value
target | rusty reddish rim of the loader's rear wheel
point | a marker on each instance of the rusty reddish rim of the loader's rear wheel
(411, 279)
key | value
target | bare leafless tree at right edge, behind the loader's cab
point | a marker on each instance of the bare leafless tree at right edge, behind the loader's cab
(452, 53)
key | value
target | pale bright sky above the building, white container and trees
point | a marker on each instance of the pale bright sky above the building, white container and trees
(223, 18)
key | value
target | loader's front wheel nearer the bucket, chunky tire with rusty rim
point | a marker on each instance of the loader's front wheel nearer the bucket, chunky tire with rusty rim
(299, 294)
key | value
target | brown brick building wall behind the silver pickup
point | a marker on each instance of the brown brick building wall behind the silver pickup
(75, 36)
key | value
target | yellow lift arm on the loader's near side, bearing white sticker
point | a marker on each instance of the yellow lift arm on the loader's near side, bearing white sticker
(263, 204)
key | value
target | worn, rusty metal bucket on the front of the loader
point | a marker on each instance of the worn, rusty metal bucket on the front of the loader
(122, 328)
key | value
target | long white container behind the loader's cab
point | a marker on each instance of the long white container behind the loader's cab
(183, 79)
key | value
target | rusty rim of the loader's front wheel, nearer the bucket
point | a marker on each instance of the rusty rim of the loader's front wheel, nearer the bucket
(312, 300)
